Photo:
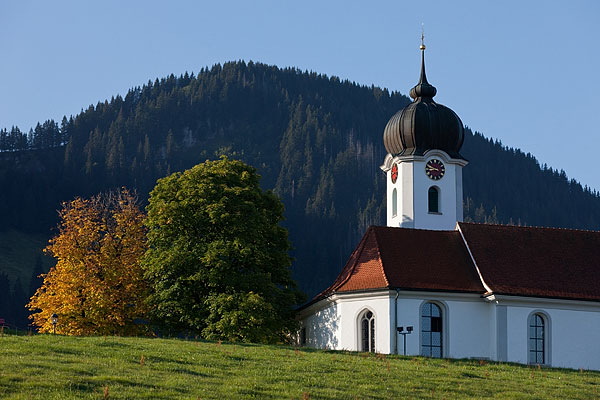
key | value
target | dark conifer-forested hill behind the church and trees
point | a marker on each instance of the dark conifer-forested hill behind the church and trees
(316, 141)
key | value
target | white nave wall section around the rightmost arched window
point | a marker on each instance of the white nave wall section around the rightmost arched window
(571, 331)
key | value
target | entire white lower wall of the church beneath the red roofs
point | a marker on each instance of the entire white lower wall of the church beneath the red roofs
(473, 328)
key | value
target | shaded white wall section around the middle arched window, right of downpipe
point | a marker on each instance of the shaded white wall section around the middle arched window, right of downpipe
(465, 320)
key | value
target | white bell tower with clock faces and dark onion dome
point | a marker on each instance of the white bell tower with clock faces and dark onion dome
(423, 166)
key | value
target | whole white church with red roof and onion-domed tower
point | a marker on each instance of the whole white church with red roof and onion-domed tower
(429, 284)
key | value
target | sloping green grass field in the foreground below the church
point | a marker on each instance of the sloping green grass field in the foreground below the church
(58, 367)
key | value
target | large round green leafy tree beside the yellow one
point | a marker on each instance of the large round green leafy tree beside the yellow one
(217, 256)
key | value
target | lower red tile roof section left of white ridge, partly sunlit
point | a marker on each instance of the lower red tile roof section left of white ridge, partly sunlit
(412, 259)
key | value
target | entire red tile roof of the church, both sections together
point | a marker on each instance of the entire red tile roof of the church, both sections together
(539, 262)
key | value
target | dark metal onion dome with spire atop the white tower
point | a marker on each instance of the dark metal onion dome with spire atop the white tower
(424, 124)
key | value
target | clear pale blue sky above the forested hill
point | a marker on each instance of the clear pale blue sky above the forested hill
(524, 72)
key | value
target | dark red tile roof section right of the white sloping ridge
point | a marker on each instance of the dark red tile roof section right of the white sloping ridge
(544, 262)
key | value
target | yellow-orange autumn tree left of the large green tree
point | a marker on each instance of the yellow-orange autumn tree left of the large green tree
(97, 285)
